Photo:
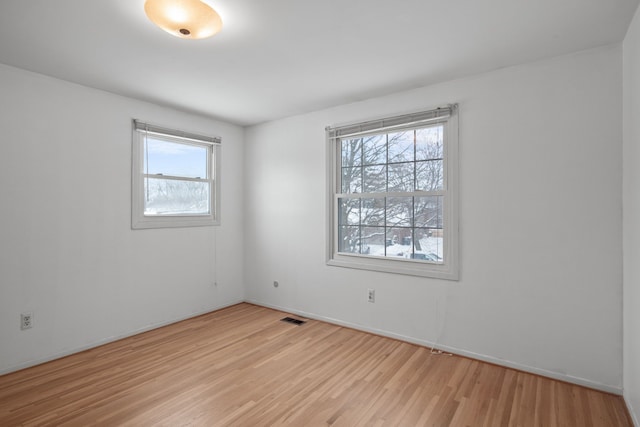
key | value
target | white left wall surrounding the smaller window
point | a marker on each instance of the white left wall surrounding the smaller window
(67, 251)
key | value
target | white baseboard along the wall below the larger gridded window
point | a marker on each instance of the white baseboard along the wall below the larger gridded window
(460, 352)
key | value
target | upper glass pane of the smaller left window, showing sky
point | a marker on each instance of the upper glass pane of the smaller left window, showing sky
(175, 159)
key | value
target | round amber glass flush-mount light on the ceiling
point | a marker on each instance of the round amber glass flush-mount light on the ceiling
(187, 19)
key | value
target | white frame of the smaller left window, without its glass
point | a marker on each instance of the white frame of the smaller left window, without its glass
(138, 218)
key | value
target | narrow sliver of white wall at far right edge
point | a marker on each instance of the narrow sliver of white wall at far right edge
(631, 215)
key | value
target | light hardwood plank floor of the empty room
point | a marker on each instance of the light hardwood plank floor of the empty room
(241, 366)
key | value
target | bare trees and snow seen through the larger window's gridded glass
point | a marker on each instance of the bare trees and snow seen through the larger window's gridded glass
(388, 207)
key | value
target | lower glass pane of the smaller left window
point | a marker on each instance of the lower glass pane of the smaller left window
(170, 197)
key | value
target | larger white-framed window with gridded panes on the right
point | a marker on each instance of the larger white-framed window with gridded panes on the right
(393, 194)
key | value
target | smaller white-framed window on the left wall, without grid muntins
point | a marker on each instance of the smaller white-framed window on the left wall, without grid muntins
(175, 178)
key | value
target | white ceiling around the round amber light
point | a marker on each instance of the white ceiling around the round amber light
(283, 57)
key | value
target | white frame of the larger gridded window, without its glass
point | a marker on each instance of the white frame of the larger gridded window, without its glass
(448, 269)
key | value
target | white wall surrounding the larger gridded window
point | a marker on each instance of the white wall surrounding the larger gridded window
(540, 222)
